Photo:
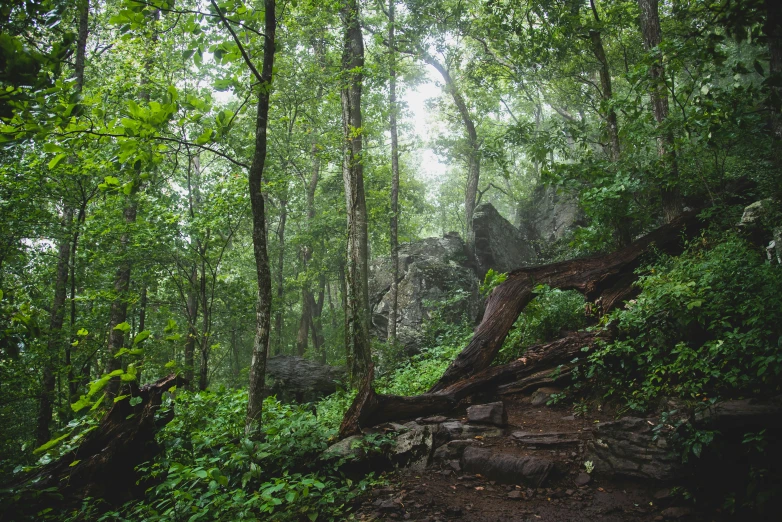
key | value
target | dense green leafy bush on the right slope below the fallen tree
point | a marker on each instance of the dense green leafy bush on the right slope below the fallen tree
(705, 325)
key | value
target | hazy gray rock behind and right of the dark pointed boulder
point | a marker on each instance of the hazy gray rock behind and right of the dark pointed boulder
(549, 215)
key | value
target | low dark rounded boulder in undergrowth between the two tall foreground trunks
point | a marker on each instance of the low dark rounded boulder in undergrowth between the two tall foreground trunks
(300, 379)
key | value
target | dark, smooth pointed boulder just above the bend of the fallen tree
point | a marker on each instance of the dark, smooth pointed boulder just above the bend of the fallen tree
(498, 244)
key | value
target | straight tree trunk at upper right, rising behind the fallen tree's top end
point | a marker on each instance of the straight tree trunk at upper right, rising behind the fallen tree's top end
(652, 37)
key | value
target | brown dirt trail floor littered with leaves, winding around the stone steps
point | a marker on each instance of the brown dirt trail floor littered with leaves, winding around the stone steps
(441, 493)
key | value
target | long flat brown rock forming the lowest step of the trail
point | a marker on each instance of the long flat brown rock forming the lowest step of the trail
(506, 468)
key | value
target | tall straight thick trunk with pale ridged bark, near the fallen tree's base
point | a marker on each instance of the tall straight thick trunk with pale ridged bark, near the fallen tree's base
(357, 327)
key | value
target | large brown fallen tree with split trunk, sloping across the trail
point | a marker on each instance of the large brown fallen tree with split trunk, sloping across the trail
(605, 280)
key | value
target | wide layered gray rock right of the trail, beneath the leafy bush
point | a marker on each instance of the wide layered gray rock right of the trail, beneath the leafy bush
(626, 447)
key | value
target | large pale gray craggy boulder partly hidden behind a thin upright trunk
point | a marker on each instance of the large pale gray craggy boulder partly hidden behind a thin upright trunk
(433, 271)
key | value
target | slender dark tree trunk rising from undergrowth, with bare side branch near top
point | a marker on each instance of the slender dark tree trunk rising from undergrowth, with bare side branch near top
(263, 312)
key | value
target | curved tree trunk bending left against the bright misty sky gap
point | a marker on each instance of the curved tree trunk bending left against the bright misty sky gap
(473, 159)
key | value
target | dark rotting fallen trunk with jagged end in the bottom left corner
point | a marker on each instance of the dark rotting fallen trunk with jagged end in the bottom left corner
(103, 466)
